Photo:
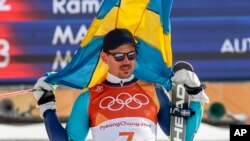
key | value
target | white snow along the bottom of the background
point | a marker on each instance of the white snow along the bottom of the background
(38, 132)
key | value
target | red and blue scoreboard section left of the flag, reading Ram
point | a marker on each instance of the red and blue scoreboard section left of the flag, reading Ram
(40, 36)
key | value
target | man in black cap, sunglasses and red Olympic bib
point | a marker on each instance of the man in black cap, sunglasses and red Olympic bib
(121, 108)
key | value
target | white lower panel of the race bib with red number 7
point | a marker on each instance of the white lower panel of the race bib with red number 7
(125, 129)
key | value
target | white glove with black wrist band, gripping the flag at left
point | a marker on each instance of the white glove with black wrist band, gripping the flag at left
(44, 94)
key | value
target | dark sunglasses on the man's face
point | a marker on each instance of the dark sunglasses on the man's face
(121, 56)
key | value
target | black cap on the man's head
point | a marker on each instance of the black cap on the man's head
(116, 38)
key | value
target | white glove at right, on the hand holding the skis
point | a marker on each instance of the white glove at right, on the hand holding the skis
(191, 80)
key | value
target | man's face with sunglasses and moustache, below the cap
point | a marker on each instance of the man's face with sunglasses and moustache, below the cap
(121, 61)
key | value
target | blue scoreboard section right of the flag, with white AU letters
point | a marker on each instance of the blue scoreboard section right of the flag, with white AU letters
(214, 36)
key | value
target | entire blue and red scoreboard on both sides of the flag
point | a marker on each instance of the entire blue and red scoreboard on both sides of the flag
(37, 36)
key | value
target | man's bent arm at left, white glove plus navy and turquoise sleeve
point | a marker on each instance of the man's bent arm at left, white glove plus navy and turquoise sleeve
(78, 122)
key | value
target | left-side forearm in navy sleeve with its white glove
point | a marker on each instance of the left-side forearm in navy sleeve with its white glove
(44, 94)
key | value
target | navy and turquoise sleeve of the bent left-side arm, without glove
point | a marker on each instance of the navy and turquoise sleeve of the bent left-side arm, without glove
(77, 124)
